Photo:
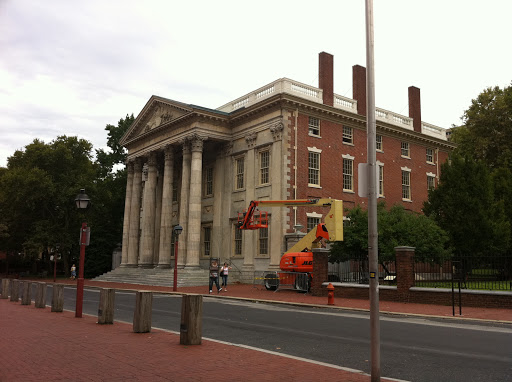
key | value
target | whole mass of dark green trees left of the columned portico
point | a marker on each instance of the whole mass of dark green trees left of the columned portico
(37, 192)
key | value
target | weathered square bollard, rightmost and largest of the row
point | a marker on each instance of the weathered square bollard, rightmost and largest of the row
(191, 320)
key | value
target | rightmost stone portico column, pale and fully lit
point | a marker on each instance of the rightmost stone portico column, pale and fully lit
(194, 205)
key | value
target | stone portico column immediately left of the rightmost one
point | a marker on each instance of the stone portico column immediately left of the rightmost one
(184, 198)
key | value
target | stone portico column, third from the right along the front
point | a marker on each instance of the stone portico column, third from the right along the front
(164, 260)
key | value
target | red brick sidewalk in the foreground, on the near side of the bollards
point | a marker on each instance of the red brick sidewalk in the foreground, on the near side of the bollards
(37, 345)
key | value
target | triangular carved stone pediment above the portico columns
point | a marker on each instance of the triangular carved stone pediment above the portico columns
(157, 112)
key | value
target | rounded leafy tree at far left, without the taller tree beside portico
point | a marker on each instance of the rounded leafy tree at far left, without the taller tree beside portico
(37, 192)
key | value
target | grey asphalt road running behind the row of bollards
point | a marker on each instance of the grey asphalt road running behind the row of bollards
(413, 349)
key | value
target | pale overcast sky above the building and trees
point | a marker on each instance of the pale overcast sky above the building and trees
(71, 67)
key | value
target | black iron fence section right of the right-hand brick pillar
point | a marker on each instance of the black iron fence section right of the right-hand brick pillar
(484, 273)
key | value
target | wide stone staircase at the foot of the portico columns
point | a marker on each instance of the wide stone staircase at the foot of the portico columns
(155, 276)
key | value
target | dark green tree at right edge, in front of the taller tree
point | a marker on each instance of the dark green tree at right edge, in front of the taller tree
(464, 205)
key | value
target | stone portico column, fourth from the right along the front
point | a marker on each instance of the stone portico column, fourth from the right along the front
(148, 217)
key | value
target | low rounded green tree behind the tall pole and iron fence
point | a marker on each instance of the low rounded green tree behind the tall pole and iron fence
(396, 227)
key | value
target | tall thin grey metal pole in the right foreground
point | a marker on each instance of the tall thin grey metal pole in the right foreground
(372, 199)
